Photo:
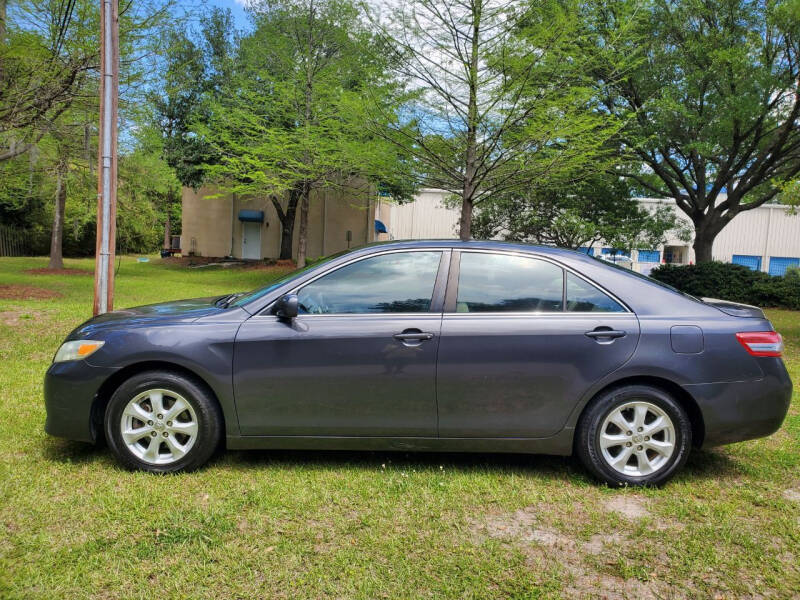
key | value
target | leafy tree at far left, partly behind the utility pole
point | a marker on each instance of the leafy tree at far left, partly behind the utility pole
(48, 105)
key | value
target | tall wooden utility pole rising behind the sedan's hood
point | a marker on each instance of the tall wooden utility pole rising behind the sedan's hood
(107, 158)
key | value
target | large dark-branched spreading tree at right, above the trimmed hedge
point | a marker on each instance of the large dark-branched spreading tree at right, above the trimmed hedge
(711, 105)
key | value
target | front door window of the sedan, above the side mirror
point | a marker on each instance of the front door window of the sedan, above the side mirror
(398, 282)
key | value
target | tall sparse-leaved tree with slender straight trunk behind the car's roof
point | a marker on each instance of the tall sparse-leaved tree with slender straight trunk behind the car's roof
(497, 97)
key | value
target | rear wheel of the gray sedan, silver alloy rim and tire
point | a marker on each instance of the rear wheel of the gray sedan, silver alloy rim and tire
(634, 435)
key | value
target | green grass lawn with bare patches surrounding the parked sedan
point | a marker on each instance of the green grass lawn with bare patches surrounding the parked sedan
(363, 525)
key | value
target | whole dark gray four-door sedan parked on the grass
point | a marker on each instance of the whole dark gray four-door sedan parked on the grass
(432, 346)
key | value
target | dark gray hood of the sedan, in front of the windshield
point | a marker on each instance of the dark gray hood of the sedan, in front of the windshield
(168, 312)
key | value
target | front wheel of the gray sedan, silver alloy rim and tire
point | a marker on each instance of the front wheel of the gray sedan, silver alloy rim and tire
(162, 422)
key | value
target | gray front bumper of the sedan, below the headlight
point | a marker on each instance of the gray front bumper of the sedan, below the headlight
(70, 389)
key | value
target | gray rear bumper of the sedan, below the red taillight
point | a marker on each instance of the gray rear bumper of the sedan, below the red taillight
(744, 410)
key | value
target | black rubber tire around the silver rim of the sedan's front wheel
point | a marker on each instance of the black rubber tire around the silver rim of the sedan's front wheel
(205, 414)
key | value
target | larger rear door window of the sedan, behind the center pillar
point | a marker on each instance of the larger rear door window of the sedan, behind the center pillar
(503, 283)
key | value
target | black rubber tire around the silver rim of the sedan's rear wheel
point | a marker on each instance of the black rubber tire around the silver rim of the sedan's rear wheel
(590, 452)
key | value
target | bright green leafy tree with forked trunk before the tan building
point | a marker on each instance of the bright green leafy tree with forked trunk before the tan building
(290, 119)
